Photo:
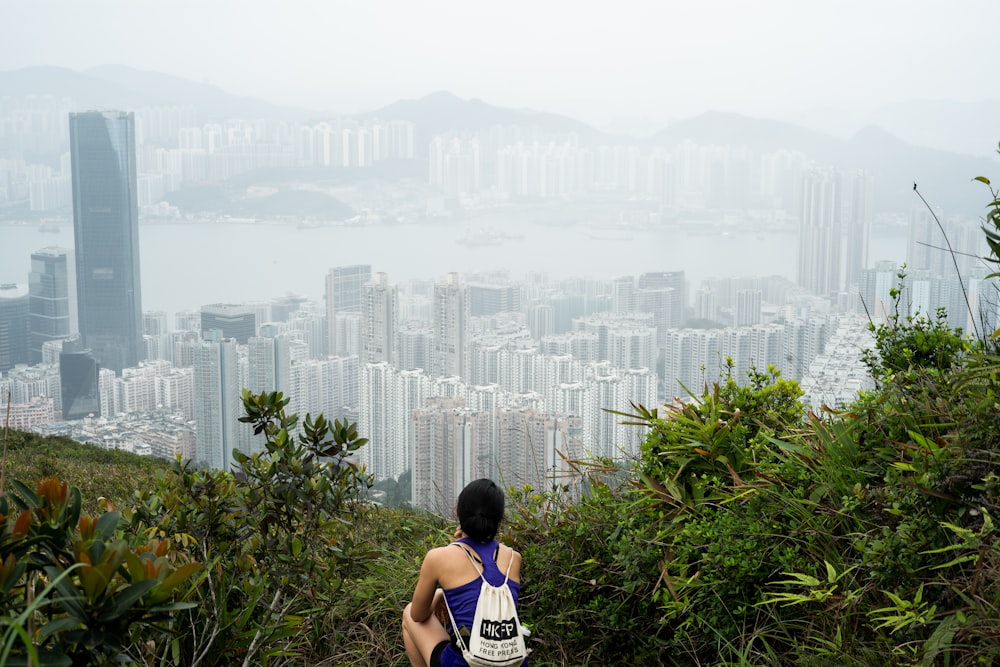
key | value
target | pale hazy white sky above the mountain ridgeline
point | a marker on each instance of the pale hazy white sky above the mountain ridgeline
(662, 59)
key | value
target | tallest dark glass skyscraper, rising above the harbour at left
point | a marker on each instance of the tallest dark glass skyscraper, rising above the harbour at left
(106, 229)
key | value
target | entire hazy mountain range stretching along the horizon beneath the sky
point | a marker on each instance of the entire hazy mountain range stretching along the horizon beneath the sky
(944, 176)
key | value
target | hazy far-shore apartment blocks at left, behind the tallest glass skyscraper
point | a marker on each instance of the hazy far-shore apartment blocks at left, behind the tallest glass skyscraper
(173, 148)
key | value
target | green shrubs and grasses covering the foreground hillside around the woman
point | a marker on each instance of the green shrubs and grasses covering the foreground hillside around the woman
(748, 532)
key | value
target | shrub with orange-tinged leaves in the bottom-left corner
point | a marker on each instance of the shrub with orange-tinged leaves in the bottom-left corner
(79, 590)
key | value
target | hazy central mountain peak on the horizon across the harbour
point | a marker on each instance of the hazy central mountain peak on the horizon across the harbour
(442, 112)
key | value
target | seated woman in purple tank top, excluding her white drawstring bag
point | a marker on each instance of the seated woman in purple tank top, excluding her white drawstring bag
(447, 572)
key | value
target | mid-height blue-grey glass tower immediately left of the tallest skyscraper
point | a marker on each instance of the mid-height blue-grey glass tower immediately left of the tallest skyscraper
(48, 299)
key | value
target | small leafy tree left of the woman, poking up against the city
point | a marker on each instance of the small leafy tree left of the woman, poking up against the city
(276, 534)
